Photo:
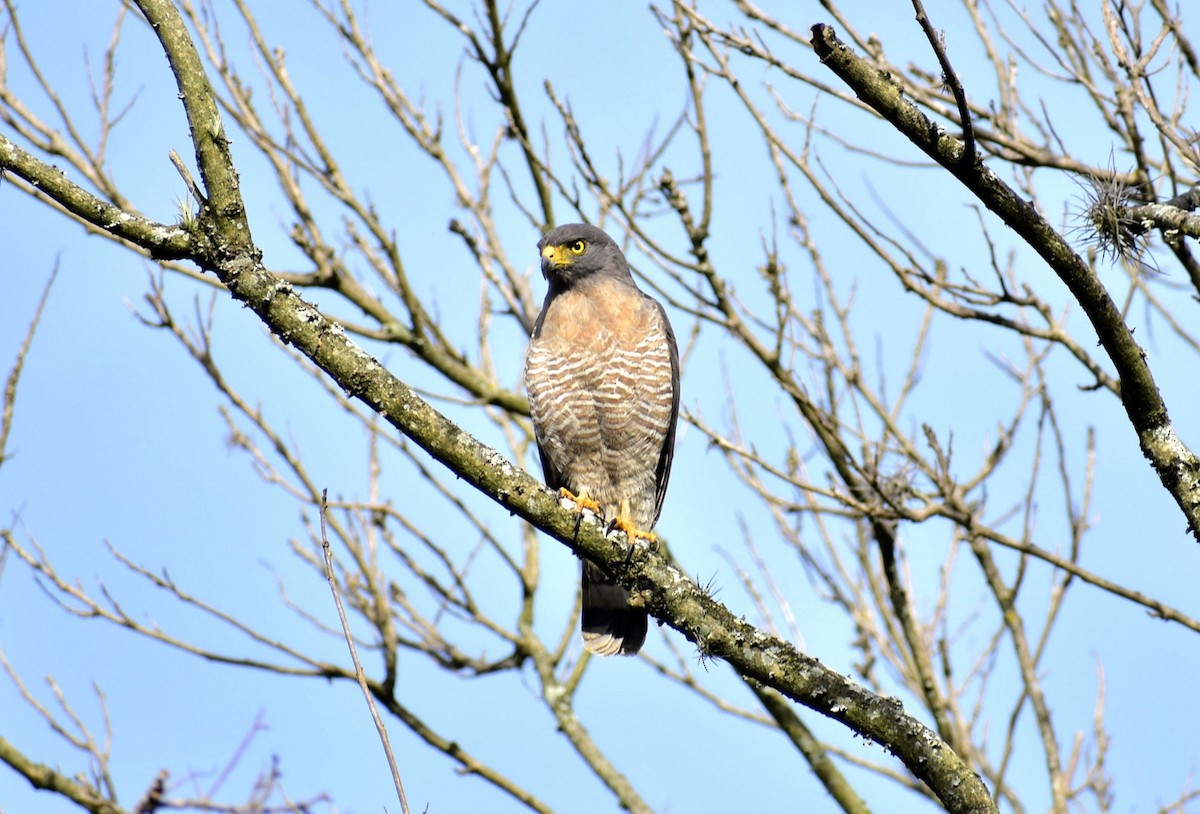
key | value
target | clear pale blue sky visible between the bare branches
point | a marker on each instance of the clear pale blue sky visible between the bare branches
(118, 441)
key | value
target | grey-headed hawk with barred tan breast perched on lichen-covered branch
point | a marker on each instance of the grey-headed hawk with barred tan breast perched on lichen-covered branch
(603, 373)
